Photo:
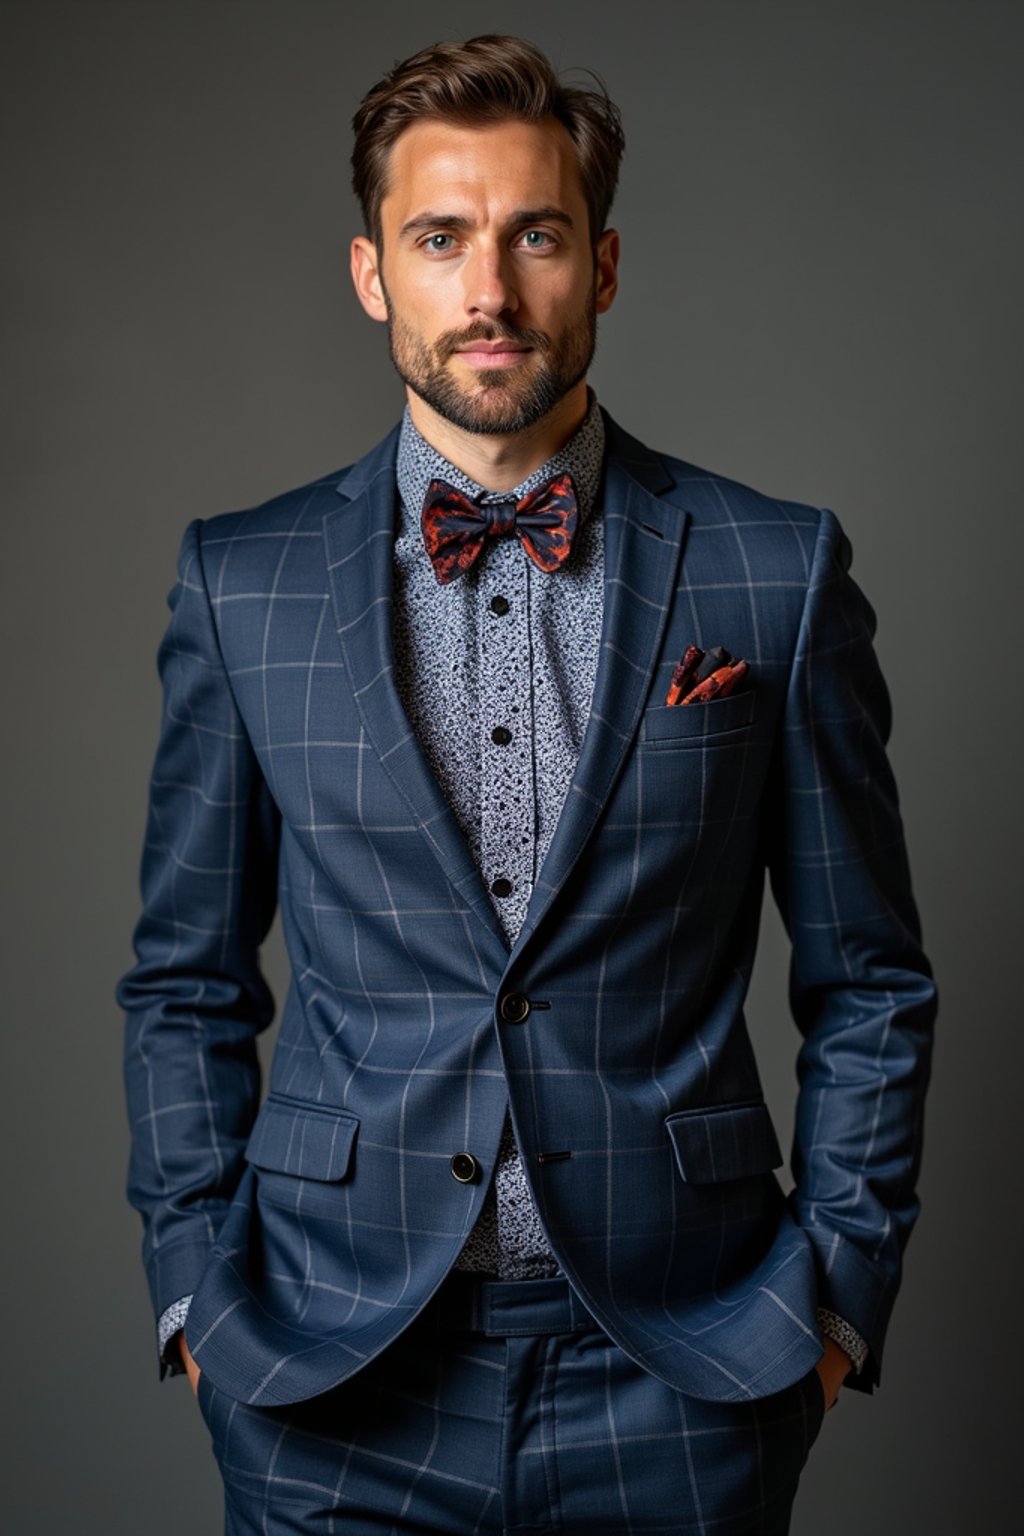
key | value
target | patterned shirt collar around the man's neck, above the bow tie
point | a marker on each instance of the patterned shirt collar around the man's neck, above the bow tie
(583, 457)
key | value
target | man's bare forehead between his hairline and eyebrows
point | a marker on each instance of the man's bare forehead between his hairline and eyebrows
(438, 167)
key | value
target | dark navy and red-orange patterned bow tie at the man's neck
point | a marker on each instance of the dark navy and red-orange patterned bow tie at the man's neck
(455, 528)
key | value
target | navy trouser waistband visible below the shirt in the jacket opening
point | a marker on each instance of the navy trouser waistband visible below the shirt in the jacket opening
(510, 1306)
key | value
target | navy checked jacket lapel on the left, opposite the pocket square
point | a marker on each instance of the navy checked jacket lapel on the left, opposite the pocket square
(360, 538)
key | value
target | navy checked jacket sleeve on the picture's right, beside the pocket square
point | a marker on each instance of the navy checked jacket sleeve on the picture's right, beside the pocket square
(862, 990)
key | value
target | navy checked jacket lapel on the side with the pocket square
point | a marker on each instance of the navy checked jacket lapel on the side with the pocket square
(644, 538)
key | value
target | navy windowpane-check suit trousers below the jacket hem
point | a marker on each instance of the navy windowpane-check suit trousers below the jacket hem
(506, 1409)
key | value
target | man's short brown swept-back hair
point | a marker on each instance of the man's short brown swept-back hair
(486, 81)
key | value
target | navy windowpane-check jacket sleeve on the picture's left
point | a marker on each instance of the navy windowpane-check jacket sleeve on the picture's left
(196, 999)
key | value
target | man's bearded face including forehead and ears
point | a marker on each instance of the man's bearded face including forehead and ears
(489, 280)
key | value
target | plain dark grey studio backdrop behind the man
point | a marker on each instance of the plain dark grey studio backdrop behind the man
(821, 294)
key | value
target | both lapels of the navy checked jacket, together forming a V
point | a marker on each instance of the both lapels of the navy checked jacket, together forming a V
(644, 537)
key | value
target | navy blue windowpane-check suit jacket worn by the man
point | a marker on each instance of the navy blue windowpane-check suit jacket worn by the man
(312, 1228)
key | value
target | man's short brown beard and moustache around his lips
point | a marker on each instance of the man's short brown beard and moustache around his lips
(503, 402)
